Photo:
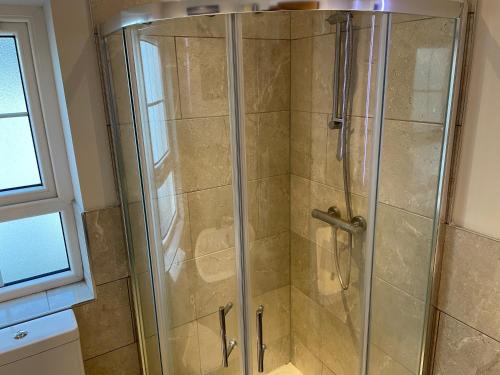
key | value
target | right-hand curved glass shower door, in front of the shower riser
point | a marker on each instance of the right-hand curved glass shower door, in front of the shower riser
(295, 66)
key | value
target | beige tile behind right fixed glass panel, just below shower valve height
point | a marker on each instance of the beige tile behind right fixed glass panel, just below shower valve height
(403, 249)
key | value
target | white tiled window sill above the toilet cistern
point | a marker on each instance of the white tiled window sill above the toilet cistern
(44, 303)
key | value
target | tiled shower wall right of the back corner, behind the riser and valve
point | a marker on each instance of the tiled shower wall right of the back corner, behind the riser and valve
(325, 324)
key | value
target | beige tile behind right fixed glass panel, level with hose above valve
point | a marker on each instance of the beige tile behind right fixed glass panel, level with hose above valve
(410, 166)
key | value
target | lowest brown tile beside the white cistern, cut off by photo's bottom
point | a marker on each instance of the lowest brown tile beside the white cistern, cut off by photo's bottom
(123, 361)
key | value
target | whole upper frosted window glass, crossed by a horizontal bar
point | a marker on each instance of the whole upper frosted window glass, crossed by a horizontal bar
(18, 159)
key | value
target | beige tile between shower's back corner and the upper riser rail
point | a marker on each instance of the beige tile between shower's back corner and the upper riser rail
(311, 74)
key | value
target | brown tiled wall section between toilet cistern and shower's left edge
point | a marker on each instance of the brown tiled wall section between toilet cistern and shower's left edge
(107, 333)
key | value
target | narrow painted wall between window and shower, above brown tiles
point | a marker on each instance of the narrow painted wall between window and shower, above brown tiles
(80, 95)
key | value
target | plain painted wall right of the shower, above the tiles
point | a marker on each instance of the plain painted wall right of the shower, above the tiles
(477, 198)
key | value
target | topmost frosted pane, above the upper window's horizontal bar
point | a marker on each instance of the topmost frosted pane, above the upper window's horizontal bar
(11, 87)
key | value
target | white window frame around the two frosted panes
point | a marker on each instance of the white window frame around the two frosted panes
(27, 24)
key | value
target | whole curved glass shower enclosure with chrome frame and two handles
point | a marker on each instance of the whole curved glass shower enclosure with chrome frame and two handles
(282, 175)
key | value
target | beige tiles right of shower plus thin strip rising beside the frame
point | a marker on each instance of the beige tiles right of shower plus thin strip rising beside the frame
(468, 326)
